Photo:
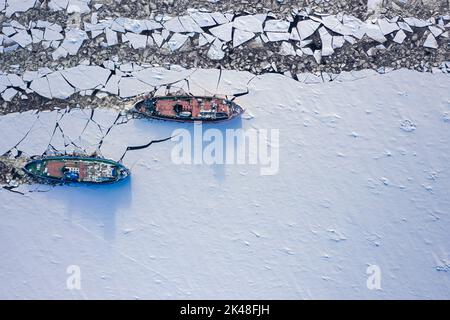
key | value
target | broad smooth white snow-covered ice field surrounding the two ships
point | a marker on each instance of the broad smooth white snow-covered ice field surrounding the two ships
(364, 179)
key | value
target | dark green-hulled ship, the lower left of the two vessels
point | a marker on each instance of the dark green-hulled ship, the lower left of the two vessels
(72, 169)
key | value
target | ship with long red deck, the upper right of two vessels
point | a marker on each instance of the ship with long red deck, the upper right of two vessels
(188, 109)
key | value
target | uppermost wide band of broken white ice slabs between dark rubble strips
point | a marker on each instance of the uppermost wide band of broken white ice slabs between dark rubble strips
(173, 32)
